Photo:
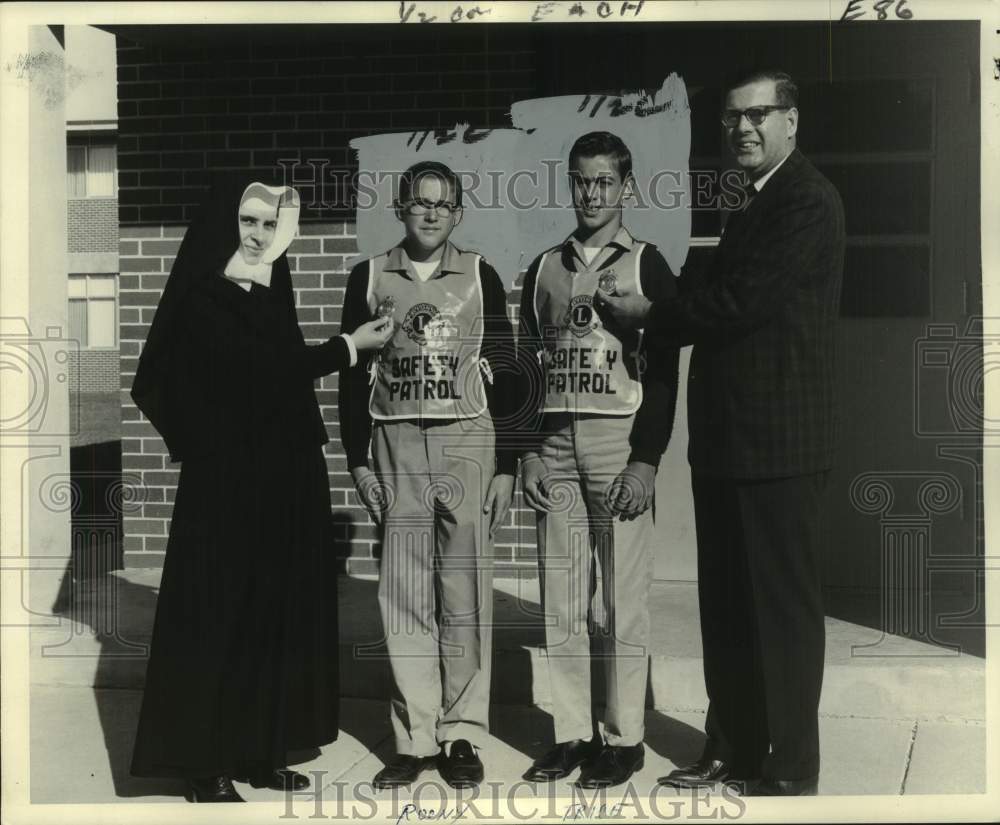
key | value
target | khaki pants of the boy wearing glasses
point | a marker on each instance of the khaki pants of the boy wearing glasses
(436, 579)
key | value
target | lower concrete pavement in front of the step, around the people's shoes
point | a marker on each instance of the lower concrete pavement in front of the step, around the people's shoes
(859, 756)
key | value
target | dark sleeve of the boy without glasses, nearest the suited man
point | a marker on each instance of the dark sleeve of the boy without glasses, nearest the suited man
(654, 419)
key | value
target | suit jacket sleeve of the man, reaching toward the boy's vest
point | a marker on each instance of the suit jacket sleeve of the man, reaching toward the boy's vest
(757, 282)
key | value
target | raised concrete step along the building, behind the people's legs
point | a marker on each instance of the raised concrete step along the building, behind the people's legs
(103, 637)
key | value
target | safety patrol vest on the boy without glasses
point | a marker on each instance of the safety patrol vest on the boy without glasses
(588, 368)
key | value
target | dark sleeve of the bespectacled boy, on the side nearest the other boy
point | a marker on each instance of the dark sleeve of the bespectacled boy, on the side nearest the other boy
(500, 353)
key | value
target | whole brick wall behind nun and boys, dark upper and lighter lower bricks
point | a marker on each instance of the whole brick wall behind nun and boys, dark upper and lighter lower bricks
(247, 102)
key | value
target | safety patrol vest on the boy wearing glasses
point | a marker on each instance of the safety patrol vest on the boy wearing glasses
(430, 368)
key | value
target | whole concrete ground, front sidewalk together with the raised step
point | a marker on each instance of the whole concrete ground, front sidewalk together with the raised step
(897, 716)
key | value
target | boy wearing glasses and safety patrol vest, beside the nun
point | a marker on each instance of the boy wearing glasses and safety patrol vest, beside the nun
(436, 414)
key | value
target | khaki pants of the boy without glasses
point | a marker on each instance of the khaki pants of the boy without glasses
(582, 458)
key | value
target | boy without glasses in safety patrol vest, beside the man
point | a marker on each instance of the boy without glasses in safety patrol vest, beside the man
(606, 415)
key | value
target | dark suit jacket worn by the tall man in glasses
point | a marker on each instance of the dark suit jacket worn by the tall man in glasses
(762, 318)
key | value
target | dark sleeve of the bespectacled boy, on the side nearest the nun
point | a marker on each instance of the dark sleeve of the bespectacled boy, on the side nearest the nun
(355, 419)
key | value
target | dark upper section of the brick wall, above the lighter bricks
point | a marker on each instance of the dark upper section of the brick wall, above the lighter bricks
(249, 101)
